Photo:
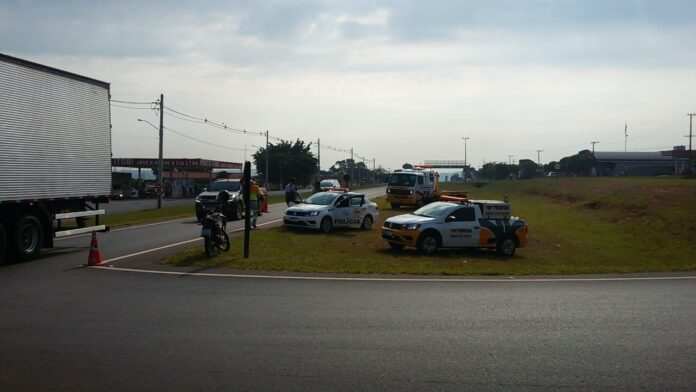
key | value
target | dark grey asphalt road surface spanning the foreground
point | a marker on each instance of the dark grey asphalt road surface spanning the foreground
(65, 327)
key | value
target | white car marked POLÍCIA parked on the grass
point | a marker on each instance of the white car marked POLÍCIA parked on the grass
(326, 210)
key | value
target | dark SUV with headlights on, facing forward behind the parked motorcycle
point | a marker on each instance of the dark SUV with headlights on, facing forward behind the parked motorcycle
(233, 207)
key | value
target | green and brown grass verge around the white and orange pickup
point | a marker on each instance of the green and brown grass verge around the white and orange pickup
(576, 226)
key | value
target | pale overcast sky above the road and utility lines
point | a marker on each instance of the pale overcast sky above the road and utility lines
(399, 81)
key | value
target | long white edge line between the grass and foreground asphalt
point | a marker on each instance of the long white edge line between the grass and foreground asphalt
(436, 280)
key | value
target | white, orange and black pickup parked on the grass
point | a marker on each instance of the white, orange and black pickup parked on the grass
(469, 224)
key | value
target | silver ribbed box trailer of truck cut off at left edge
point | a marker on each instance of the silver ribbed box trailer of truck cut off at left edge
(55, 156)
